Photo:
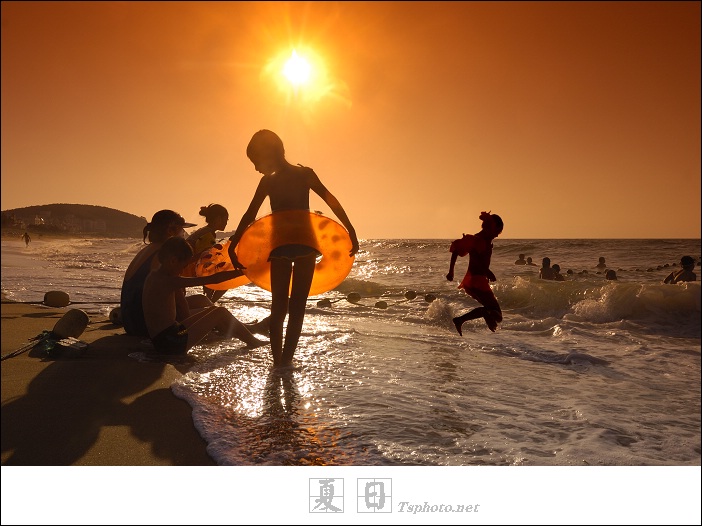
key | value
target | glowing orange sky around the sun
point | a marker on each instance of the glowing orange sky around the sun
(569, 119)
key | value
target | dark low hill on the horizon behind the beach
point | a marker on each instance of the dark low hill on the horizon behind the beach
(74, 219)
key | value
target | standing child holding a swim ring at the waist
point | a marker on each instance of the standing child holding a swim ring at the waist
(288, 188)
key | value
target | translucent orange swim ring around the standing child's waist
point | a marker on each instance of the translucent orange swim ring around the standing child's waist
(297, 227)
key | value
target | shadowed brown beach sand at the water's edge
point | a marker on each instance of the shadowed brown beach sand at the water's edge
(101, 408)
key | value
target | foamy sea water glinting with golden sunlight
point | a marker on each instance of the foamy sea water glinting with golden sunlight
(586, 371)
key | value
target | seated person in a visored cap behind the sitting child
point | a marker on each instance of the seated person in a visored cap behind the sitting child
(164, 225)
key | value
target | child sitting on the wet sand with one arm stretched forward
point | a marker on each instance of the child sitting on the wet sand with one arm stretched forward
(164, 291)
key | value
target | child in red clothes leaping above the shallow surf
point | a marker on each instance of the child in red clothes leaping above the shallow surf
(475, 283)
